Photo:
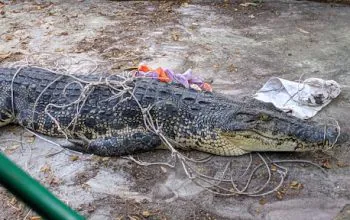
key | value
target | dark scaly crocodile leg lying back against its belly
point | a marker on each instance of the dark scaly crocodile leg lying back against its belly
(129, 143)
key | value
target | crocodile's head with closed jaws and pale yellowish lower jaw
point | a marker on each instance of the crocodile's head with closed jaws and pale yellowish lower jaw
(273, 131)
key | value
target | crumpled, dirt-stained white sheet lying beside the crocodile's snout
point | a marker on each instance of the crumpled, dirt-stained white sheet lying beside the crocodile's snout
(302, 100)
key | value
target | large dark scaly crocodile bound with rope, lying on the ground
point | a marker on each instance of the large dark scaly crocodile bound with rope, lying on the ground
(97, 119)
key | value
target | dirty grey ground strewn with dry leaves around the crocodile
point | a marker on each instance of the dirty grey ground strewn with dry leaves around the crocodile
(238, 45)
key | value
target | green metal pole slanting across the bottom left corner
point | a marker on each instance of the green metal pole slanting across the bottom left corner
(32, 193)
